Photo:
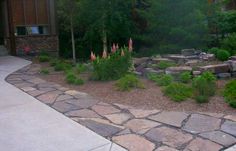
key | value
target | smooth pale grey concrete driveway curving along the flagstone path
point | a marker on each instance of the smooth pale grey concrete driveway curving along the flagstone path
(29, 125)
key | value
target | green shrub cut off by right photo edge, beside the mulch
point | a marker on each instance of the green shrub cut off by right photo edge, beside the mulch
(230, 93)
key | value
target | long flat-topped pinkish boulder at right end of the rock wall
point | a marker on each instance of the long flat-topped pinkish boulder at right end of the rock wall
(216, 69)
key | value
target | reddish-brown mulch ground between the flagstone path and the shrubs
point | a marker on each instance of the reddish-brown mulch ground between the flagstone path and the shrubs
(149, 98)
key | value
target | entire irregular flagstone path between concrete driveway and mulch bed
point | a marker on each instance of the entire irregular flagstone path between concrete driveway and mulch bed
(134, 129)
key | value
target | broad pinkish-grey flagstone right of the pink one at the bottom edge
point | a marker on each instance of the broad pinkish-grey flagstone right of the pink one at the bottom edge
(168, 136)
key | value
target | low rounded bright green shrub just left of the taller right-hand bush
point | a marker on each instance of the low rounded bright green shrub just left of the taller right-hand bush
(178, 92)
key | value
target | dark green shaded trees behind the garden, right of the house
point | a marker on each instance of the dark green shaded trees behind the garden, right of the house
(156, 26)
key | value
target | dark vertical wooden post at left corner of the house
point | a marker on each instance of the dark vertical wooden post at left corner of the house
(11, 28)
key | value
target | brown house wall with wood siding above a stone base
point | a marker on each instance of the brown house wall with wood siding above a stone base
(27, 14)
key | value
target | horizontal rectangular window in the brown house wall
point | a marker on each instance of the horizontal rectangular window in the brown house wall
(31, 30)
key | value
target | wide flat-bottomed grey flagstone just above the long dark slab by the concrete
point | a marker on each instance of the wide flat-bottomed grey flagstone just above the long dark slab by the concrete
(85, 113)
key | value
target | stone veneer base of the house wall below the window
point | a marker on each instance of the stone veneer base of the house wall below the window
(38, 43)
